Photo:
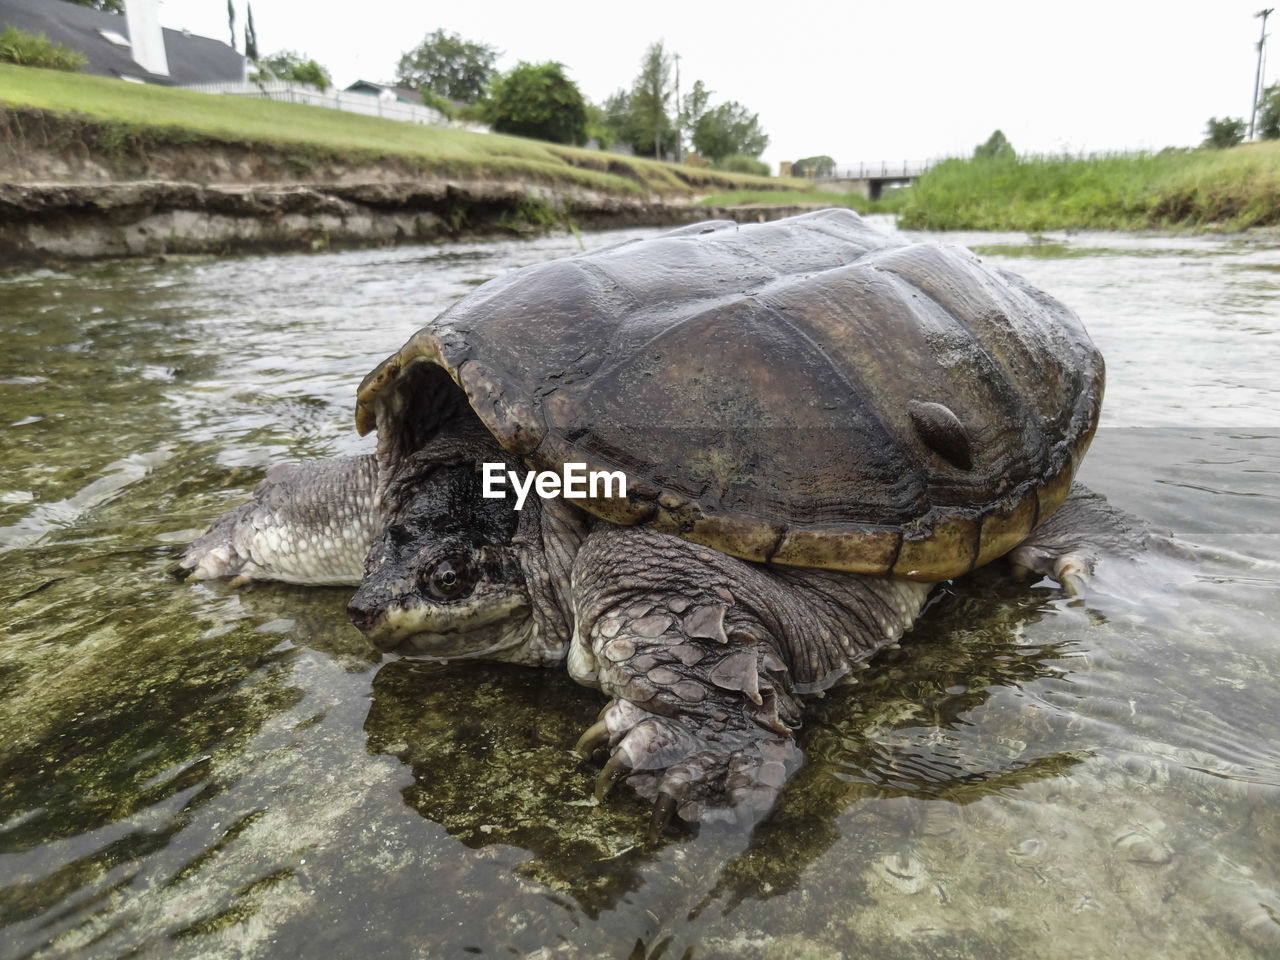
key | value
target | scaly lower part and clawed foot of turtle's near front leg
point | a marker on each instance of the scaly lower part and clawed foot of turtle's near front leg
(701, 725)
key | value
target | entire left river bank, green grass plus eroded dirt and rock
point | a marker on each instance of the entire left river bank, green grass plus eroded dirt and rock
(98, 168)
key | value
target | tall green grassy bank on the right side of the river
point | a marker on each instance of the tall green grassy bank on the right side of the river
(1229, 190)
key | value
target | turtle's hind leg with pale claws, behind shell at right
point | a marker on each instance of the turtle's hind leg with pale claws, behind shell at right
(1084, 531)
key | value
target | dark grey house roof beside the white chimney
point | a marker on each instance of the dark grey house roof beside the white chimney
(191, 60)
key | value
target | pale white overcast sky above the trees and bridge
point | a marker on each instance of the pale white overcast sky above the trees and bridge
(861, 81)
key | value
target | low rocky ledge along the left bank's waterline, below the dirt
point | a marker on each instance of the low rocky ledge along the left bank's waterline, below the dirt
(49, 222)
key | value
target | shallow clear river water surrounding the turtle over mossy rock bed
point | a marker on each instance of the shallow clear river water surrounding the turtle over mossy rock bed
(196, 771)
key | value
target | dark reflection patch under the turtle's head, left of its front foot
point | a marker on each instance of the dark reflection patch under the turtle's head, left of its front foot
(488, 747)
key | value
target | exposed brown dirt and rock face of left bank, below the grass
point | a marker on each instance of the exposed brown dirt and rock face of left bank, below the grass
(76, 191)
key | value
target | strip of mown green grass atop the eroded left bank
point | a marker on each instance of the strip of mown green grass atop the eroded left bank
(132, 116)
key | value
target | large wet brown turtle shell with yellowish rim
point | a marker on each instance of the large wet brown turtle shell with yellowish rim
(806, 392)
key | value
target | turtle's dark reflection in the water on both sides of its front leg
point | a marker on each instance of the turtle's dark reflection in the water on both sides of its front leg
(487, 746)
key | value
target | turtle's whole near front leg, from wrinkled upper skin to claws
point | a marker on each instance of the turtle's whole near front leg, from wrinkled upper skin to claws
(705, 657)
